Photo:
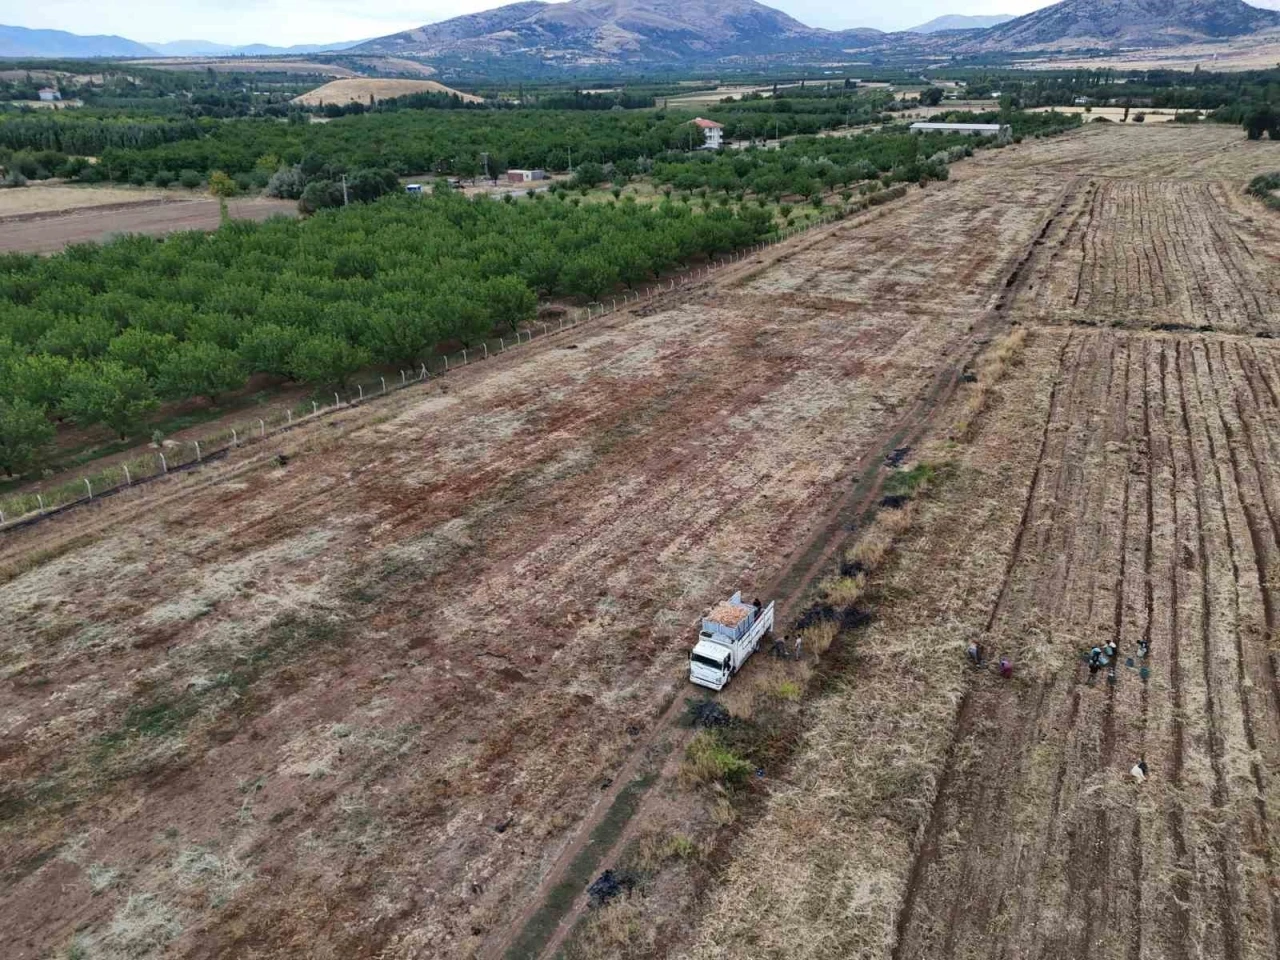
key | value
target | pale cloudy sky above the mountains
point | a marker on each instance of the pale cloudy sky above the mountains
(285, 22)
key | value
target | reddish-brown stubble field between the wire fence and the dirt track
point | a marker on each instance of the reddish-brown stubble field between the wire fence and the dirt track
(339, 679)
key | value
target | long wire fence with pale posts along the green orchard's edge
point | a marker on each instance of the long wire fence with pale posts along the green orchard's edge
(172, 458)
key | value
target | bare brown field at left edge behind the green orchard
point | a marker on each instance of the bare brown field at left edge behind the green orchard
(49, 234)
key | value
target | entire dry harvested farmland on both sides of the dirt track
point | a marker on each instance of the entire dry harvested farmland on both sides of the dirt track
(401, 683)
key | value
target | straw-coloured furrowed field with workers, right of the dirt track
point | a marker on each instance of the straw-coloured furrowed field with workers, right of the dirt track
(1118, 490)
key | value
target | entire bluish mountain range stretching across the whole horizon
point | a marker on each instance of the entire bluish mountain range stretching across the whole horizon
(710, 33)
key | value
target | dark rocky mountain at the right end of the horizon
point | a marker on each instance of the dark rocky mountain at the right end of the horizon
(1124, 24)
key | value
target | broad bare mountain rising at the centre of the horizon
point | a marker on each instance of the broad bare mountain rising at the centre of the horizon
(611, 30)
